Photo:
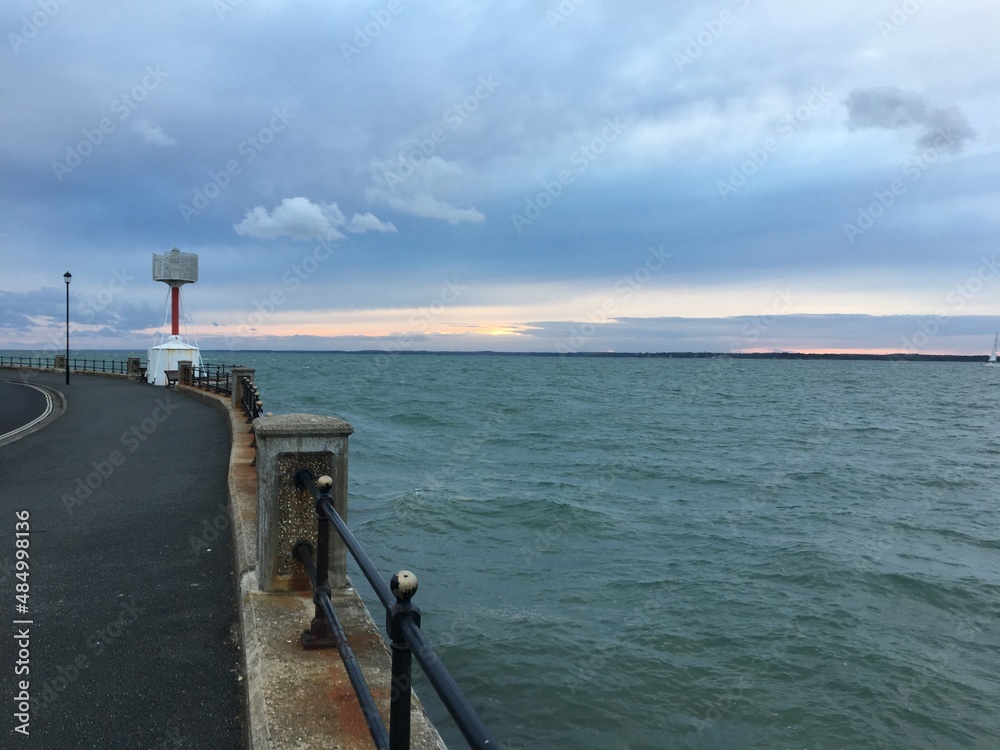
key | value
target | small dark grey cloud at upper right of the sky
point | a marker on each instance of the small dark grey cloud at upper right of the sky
(893, 108)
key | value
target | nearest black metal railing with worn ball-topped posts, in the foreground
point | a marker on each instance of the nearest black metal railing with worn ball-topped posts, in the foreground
(402, 626)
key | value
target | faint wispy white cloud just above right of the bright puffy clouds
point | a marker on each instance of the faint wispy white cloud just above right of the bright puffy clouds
(408, 184)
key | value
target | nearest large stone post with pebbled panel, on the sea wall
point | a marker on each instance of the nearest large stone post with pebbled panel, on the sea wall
(286, 513)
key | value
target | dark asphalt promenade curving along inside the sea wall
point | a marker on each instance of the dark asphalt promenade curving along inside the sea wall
(126, 636)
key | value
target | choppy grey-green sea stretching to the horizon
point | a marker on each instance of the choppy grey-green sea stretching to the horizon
(645, 553)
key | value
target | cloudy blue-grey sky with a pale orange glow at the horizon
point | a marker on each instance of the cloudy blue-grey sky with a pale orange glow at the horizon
(583, 175)
